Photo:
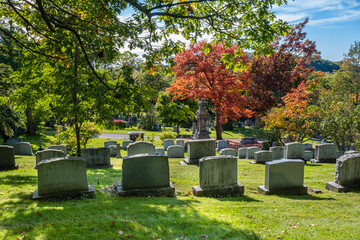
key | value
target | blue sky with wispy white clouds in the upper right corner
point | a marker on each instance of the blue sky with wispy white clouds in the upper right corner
(333, 24)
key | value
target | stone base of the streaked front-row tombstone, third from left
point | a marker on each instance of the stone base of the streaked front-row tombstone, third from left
(225, 191)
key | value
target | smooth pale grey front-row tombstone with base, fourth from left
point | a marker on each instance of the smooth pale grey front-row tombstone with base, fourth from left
(285, 176)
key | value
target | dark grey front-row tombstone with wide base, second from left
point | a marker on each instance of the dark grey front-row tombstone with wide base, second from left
(146, 175)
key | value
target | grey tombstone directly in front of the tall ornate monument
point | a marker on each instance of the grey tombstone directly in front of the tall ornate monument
(198, 149)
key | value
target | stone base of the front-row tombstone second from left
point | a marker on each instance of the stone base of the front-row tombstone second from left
(144, 192)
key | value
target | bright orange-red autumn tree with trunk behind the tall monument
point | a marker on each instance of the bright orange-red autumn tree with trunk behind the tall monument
(200, 75)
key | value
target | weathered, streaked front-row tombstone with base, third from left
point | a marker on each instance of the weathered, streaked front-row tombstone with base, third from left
(218, 177)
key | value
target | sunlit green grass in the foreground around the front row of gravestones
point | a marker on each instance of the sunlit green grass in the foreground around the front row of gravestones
(328, 215)
